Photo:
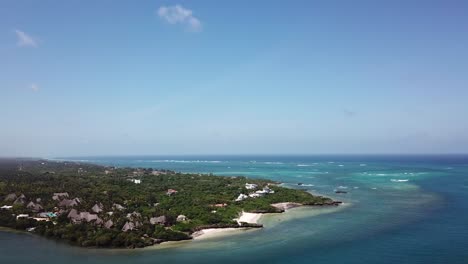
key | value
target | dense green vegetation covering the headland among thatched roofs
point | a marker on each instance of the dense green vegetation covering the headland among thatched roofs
(200, 201)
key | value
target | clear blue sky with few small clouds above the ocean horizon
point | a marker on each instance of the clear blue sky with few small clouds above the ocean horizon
(237, 77)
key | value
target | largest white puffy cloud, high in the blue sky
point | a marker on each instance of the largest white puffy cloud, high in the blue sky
(179, 15)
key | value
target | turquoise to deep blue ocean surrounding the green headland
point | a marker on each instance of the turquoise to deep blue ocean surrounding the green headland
(398, 209)
